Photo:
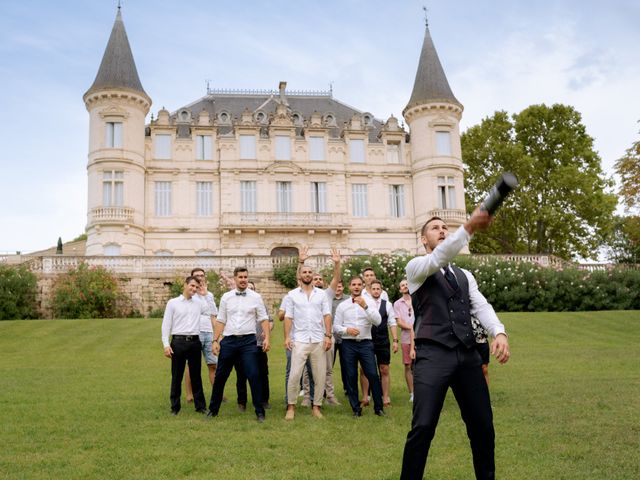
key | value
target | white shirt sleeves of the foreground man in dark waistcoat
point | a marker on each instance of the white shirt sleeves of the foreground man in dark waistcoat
(419, 268)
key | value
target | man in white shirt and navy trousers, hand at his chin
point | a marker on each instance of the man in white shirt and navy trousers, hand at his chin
(353, 322)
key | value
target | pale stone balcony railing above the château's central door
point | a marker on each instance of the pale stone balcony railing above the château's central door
(273, 220)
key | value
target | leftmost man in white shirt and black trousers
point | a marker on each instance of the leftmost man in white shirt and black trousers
(182, 322)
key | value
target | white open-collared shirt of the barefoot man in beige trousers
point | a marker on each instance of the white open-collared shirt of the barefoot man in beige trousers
(307, 313)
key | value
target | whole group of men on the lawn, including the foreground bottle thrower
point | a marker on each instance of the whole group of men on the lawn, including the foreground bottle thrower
(436, 314)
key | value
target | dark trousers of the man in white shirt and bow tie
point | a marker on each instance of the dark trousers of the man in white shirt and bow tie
(233, 349)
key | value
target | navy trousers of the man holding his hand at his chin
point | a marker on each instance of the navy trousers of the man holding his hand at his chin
(354, 351)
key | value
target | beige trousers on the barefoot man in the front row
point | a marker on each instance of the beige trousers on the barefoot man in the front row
(299, 354)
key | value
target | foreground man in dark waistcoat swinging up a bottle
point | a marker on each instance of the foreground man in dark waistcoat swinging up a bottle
(444, 298)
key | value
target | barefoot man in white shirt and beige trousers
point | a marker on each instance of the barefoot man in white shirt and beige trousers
(307, 327)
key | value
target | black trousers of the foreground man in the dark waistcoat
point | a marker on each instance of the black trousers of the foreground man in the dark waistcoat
(436, 369)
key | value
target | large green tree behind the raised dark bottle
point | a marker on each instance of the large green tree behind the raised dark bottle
(561, 206)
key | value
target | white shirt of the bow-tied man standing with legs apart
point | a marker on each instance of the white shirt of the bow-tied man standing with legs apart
(240, 313)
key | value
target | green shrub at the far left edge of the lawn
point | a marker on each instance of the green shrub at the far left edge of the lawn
(18, 288)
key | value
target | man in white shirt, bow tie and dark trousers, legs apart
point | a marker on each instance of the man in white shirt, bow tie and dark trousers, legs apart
(240, 310)
